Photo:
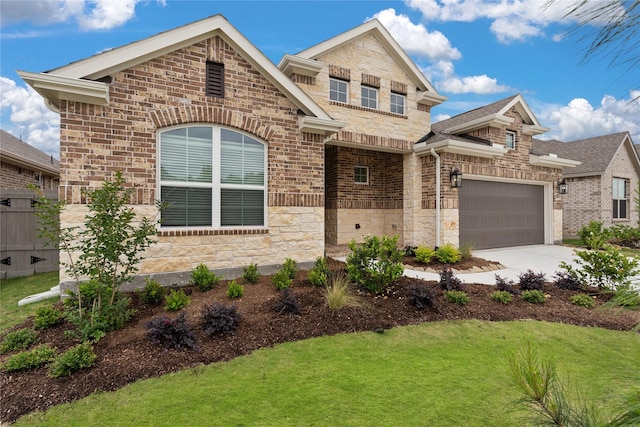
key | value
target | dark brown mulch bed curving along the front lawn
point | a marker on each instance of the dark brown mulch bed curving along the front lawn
(127, 355)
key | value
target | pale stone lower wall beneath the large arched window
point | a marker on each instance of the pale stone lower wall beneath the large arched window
(293, 232)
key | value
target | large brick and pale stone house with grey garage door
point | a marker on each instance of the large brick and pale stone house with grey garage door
(262, 162)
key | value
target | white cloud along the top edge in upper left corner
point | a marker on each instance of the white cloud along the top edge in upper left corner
(89, 14)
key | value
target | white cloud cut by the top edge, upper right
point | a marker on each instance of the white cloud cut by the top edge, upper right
(511, 20)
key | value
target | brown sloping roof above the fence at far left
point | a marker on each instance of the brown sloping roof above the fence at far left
(15, 151)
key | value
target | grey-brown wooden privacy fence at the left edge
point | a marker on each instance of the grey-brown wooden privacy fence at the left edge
(21, 252)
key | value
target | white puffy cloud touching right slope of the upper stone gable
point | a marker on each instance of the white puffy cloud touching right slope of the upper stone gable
(415, 39)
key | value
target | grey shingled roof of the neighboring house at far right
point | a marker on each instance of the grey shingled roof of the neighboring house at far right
(595, 153)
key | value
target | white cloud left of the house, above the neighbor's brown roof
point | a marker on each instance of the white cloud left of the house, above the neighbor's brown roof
(32, 120)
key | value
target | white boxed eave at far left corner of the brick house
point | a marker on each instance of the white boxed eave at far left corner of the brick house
(55, 88)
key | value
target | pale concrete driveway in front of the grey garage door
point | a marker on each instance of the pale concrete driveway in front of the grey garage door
(517, 260)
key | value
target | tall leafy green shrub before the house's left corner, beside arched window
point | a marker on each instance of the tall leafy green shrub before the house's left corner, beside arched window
(107, 249)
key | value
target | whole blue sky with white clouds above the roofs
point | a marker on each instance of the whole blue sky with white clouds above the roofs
(473, 51)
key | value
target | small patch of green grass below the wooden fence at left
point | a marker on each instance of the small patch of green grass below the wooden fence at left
(13, 290)
